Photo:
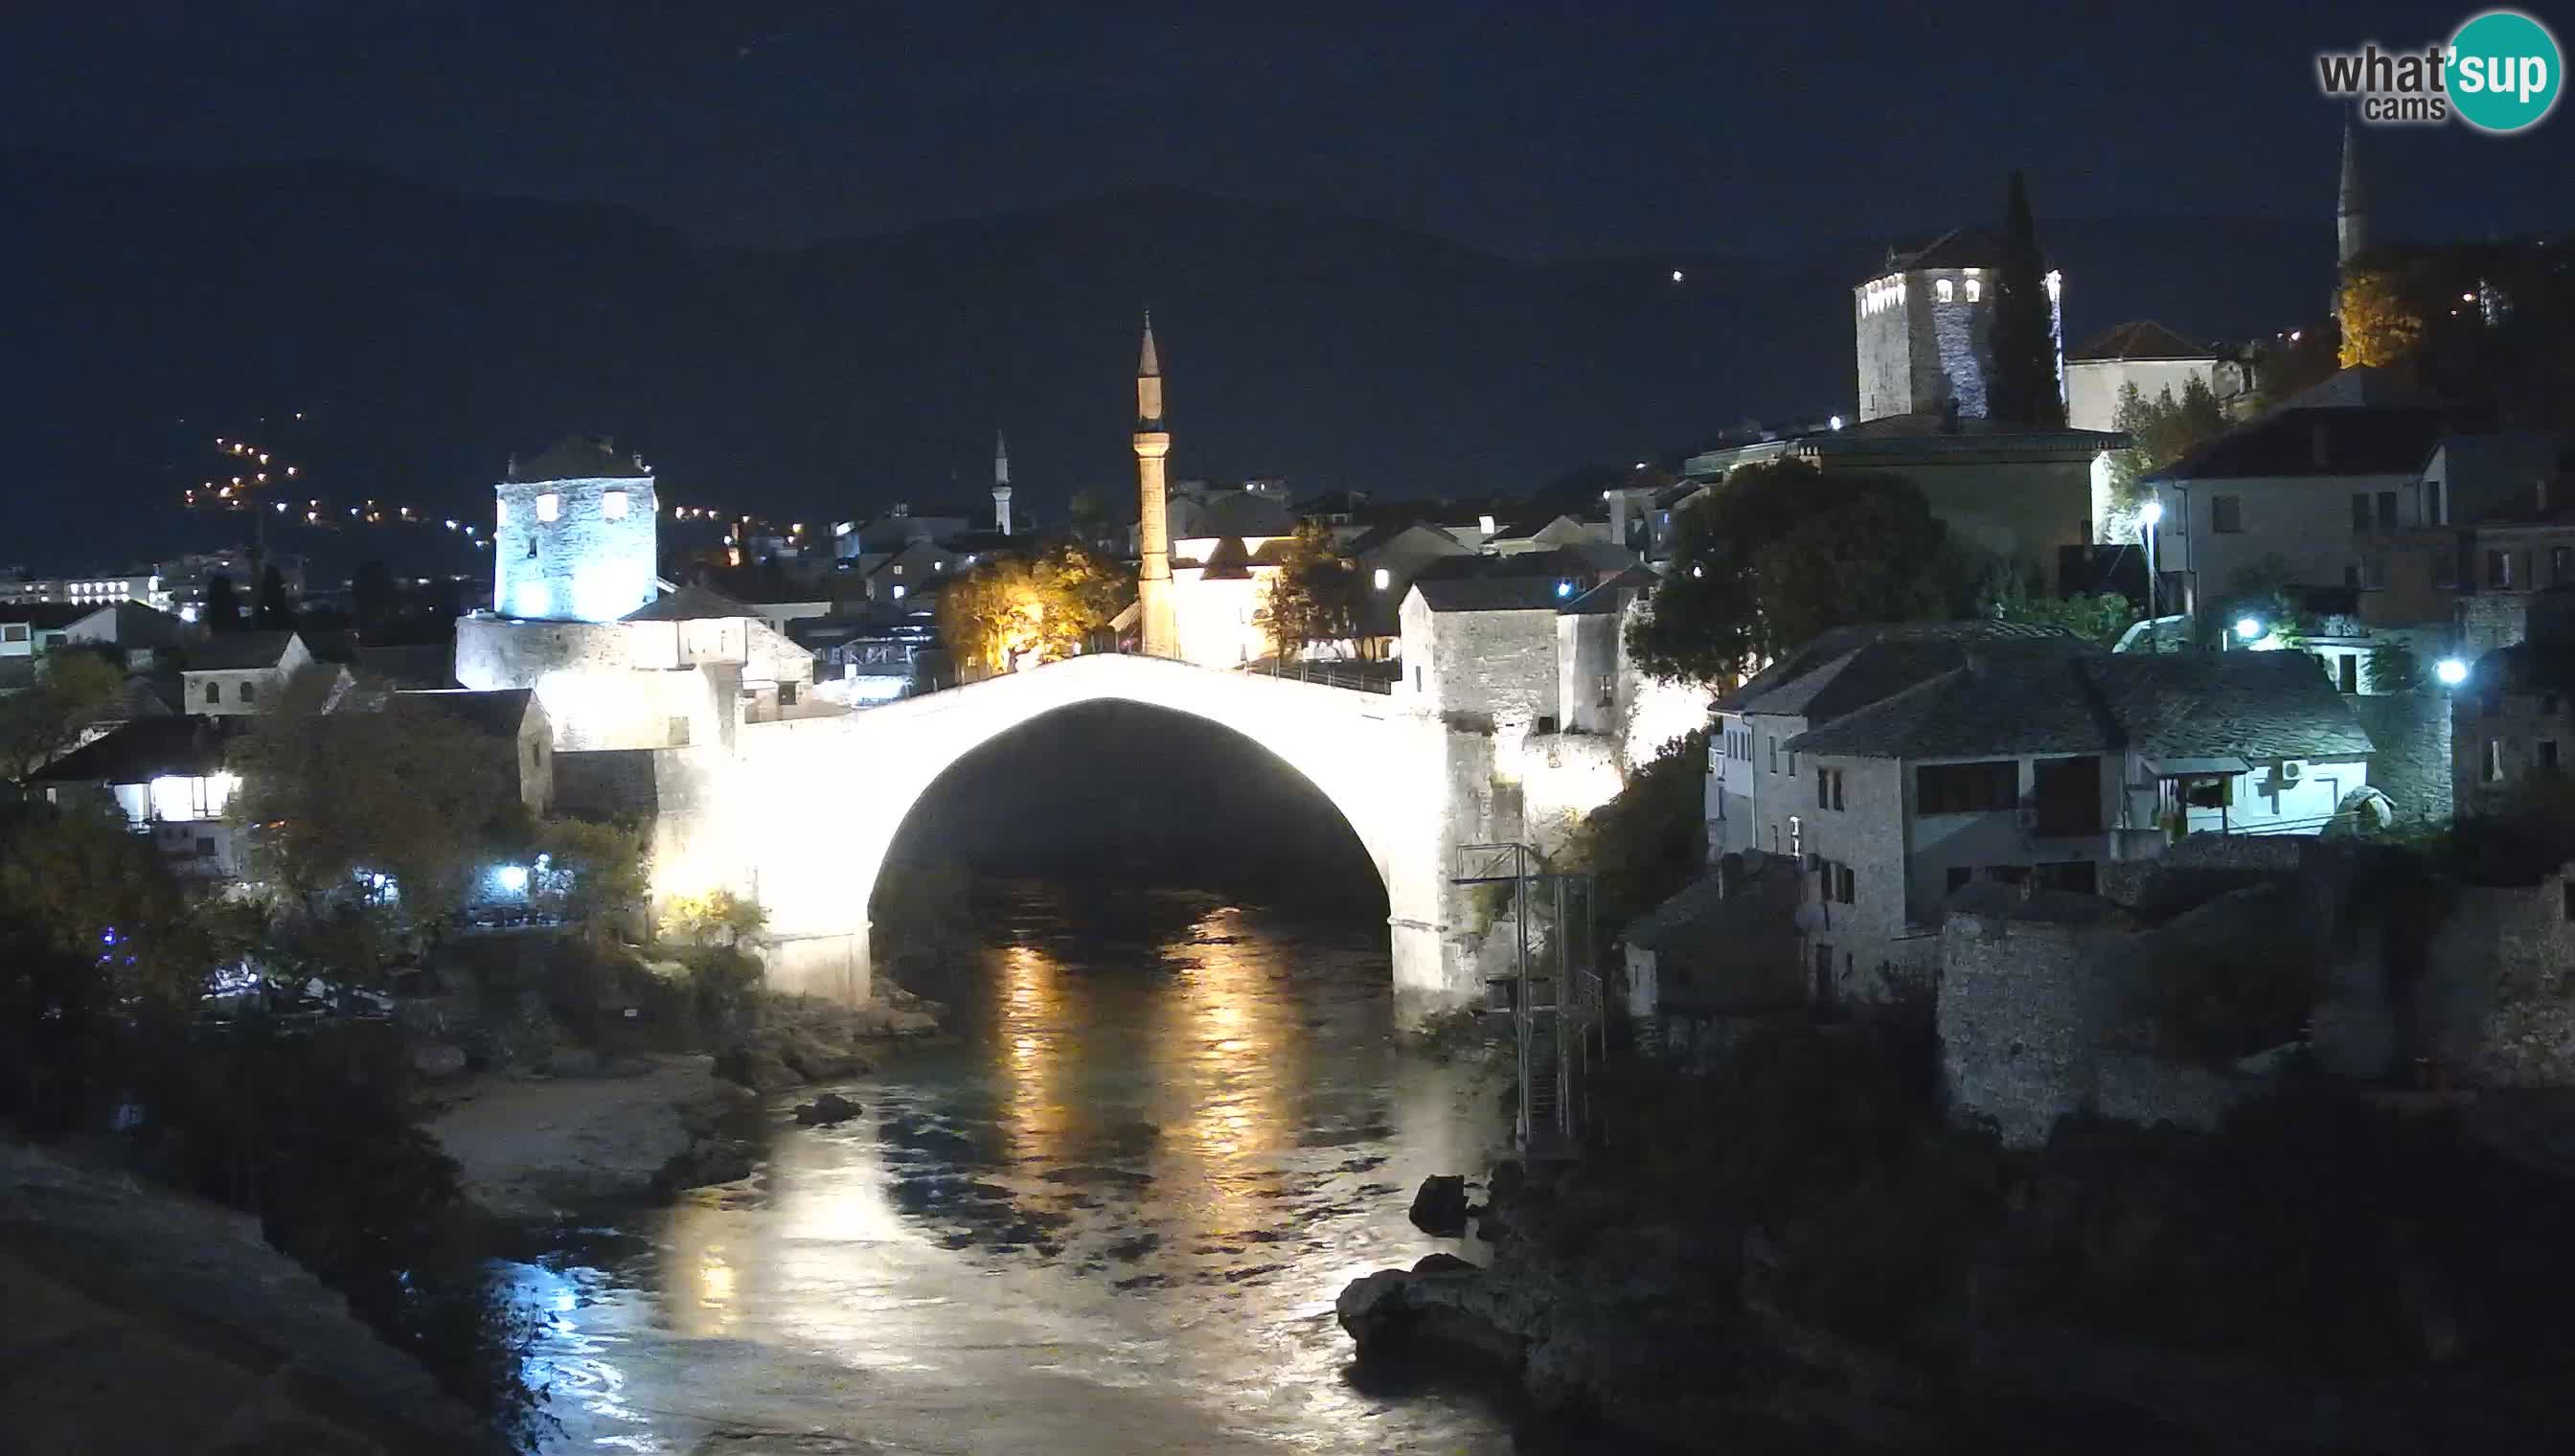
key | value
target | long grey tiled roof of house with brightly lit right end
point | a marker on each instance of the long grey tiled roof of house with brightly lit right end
(2187, 705)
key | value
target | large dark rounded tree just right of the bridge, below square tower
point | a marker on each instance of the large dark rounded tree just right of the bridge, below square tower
(1783, 553)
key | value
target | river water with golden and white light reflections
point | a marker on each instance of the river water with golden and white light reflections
(1111, 1212)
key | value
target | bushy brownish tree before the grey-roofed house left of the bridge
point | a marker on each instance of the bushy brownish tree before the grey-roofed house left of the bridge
(406, 790)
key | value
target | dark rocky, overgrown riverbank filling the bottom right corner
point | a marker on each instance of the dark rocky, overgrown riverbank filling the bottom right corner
(2306, 1287)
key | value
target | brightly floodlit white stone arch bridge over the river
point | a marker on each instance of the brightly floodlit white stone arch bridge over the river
(802, 813)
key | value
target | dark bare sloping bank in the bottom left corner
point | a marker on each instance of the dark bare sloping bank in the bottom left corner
(143, 1321)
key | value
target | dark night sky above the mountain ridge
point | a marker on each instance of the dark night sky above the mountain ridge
(1528, 130)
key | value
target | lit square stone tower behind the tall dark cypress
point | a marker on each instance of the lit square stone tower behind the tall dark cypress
(1925, 329)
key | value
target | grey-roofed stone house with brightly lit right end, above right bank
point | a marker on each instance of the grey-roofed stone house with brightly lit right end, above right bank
(2033, 767)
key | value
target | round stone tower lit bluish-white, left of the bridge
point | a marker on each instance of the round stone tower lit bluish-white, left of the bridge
(578, 535)
